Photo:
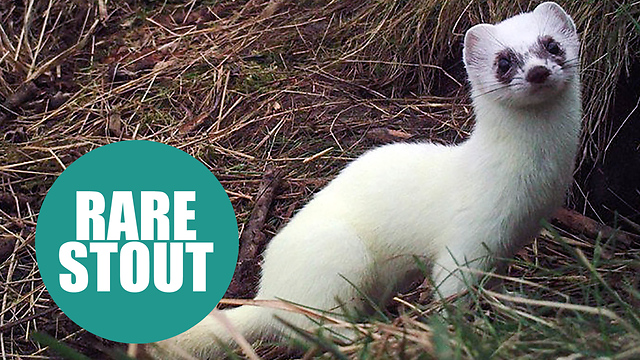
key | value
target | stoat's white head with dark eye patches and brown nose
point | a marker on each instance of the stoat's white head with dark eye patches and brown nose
(525, 60)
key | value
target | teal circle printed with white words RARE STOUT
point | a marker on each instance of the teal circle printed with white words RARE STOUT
(130, 312)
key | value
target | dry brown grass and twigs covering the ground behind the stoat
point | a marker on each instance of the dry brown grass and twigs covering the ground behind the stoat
(242, 85)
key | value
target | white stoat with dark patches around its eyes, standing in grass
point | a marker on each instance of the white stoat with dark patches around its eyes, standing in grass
(448, 205)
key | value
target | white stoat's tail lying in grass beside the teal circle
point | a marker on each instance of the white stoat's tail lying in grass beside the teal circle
(204, 340)
